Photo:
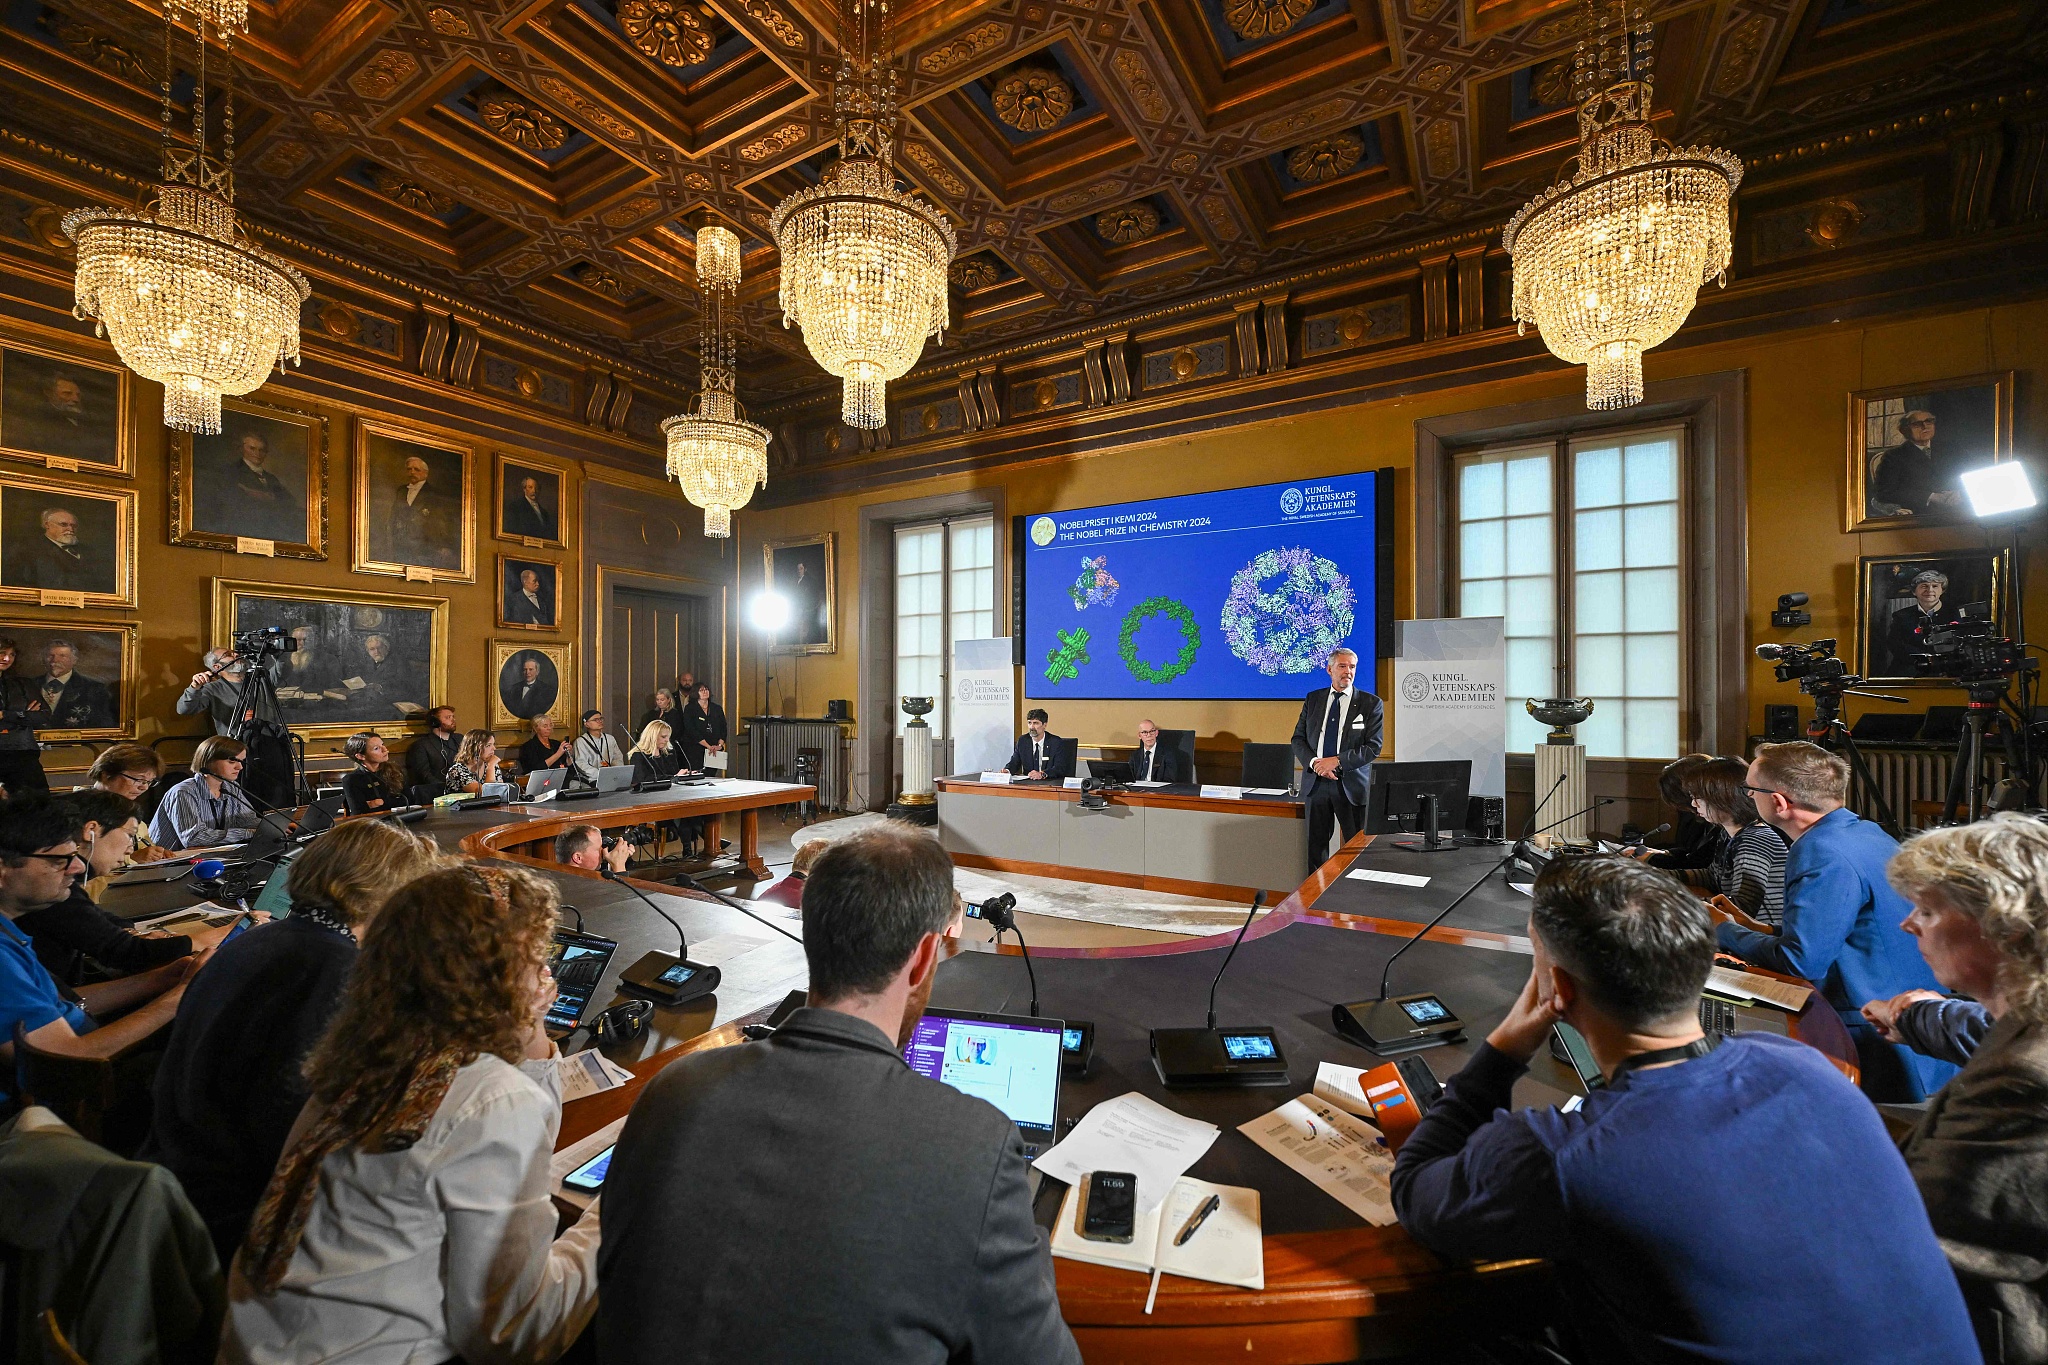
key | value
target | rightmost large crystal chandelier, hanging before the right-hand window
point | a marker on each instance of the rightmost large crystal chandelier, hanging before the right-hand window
(1611, 259)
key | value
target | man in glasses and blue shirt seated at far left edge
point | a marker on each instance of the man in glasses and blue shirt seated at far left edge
(38, 865)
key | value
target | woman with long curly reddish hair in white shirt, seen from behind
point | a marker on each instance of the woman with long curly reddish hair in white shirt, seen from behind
(411, 1219)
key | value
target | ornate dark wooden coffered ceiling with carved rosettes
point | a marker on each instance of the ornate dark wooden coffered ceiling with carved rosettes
(546, 159)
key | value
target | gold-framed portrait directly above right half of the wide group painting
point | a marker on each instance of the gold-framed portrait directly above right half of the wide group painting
(415, 504)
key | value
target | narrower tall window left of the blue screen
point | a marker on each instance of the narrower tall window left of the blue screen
(945, 592)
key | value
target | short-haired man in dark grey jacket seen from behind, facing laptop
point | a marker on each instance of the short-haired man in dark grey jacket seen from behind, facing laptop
(908, 1221)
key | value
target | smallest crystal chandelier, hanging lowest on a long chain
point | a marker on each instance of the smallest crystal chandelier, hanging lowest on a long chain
(714, 451)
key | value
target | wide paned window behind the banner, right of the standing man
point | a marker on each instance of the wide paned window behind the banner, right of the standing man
(1607, 627)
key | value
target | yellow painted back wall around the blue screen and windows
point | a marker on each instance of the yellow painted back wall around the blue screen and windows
(1799, 386)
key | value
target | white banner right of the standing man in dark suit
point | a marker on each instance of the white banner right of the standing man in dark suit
(1451, 697)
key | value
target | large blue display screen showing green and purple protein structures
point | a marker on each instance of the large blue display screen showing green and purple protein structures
(1238, 595)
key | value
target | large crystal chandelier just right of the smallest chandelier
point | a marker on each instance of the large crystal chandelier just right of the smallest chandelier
(863, 261)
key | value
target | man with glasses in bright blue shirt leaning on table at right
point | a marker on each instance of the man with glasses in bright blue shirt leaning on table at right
(1842, 920)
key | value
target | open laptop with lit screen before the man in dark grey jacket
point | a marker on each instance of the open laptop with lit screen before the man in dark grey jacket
(1009, 1061)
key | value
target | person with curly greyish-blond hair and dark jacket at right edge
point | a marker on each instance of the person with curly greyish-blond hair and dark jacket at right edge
(1979, 1153)
